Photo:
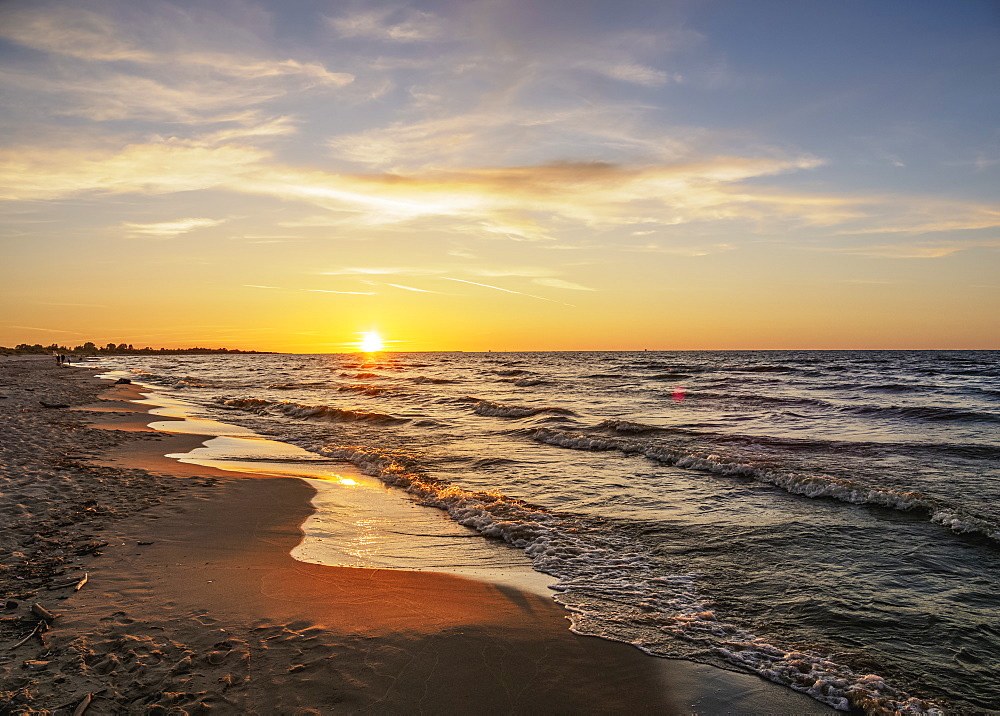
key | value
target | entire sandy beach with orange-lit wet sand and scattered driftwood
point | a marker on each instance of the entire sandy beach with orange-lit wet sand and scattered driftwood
(164, 587)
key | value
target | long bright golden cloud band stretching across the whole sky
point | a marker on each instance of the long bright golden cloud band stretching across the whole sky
(546, 202)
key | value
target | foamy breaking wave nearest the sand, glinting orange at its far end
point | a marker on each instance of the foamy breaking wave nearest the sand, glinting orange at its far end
(614, 592)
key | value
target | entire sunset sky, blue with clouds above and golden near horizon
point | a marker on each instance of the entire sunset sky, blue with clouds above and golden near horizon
(501, 174)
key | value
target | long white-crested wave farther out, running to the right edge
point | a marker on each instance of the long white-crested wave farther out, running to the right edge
(797, 483)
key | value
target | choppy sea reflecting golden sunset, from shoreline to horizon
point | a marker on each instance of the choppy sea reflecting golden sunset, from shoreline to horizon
(828, 520)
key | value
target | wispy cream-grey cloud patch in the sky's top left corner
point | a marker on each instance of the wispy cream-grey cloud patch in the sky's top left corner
(149, 66)
